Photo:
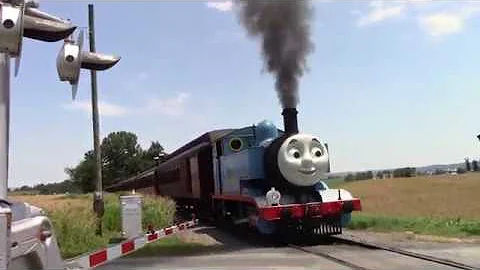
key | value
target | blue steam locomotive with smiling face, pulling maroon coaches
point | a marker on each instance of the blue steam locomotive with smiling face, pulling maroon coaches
(257, 175)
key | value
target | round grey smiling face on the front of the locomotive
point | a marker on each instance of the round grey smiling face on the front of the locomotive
(302, 159)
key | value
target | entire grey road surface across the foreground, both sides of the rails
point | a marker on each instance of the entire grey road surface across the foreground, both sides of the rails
(230, 252)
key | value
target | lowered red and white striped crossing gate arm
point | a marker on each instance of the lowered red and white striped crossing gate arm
(113, 252)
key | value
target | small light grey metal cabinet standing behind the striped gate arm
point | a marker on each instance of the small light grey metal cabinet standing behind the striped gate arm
(131, 215)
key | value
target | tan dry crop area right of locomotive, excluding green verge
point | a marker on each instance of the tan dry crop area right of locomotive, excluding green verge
(444, 196)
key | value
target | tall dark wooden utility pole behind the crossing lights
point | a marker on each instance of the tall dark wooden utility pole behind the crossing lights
(98, 204)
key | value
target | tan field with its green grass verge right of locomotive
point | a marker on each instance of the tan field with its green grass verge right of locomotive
(440, 205)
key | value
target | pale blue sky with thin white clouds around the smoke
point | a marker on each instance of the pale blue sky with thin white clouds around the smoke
(390, 83)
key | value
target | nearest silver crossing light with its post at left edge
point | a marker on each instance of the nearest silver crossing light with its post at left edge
(19, 19)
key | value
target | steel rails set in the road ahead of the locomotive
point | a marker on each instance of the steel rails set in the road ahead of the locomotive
(361, 243)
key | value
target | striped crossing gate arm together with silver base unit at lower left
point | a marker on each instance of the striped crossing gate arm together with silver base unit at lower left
(27, 241)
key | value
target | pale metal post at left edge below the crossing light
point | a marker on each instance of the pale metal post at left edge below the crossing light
(4, 122)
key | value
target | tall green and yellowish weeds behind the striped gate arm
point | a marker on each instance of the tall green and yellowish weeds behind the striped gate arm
(75, 223)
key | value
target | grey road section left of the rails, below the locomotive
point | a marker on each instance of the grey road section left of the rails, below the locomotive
(229, 253)
